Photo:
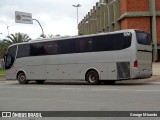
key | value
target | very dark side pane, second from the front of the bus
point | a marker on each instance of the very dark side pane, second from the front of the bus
(36, 49)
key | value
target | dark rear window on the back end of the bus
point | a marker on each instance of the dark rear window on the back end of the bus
(143, 38)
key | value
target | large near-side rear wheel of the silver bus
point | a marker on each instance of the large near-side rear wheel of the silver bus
(92, 77)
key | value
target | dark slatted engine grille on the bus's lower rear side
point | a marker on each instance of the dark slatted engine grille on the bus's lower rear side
(123, 69)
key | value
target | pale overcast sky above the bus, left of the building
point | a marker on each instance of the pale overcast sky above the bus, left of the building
(55, 16)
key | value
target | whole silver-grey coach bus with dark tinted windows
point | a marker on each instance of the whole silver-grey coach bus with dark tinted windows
(106, 57)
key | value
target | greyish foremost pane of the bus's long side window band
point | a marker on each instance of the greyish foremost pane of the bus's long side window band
(23, 50)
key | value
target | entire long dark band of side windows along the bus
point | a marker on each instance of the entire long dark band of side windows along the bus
(78, 45)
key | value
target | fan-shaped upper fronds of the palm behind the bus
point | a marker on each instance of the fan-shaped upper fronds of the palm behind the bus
(17, 38)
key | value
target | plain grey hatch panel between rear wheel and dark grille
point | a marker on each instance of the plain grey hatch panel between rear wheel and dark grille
(112, 71)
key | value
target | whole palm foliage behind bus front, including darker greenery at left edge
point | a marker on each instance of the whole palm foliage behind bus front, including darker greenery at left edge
(11, 39)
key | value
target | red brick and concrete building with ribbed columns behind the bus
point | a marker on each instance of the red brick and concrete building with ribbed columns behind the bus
(113, 15)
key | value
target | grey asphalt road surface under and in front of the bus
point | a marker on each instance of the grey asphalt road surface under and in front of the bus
(134, 95)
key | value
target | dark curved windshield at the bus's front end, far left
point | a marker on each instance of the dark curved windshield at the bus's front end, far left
(10, 57)
